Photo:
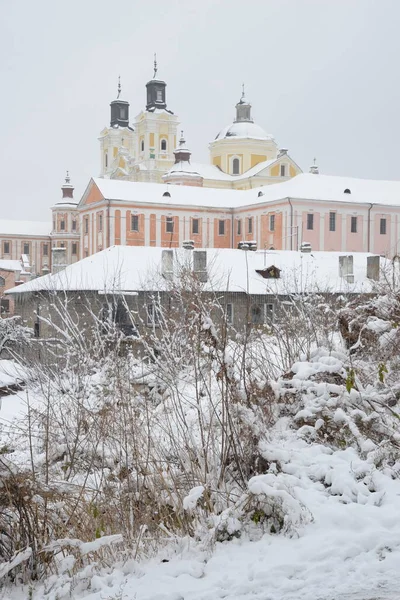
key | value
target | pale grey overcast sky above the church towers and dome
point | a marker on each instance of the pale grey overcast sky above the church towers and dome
(322, 76)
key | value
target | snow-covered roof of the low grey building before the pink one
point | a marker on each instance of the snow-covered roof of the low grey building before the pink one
(129, 268)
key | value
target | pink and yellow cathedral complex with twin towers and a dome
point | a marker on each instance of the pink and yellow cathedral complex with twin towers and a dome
(149, 192)
